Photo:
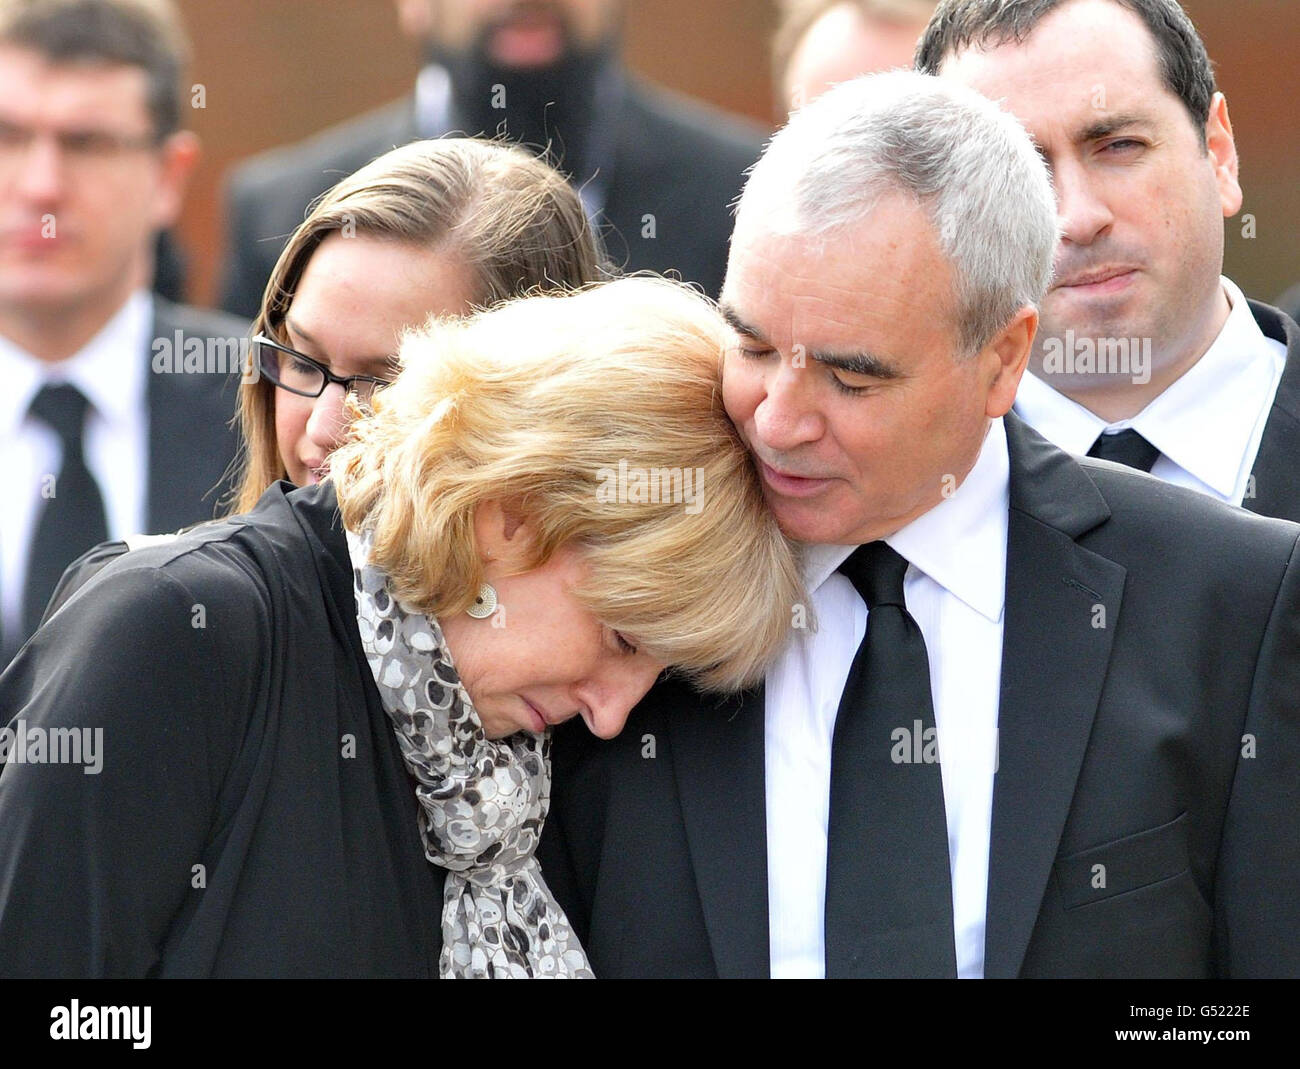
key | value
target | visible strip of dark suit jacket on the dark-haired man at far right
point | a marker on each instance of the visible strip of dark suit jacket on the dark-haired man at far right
(1277, 466)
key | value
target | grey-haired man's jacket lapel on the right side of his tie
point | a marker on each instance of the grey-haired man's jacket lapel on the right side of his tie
(1063, 607)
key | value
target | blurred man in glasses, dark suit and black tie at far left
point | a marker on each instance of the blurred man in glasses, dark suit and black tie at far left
(115, 417)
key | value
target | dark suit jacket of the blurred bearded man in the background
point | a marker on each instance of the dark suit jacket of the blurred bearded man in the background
(674, 161)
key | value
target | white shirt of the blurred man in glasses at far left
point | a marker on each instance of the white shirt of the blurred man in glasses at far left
(111, 373)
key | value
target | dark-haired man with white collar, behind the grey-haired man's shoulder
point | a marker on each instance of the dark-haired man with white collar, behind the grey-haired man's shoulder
(1147, 356)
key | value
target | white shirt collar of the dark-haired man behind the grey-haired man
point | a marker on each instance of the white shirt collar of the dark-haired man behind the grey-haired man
(1207, 425)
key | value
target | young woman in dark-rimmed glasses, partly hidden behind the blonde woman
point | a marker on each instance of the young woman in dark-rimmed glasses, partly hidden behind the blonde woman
(434, 228)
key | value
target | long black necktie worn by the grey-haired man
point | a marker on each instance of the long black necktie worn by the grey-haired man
(889, 891)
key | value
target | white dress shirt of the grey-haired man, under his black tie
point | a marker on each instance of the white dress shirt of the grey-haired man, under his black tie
(955, 590)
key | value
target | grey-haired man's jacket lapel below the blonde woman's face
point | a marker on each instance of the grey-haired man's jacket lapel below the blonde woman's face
(718, 759)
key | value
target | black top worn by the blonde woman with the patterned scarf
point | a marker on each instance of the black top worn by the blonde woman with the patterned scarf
(249, 741)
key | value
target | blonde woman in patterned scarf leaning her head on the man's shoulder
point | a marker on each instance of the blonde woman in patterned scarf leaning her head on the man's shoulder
(326, 724)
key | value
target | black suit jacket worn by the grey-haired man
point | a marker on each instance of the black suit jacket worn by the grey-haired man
(1120, 746)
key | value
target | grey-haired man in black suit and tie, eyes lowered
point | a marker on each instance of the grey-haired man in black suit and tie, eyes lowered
(1046, 724)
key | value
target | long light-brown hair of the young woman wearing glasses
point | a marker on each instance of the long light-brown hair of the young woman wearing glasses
(513, 222)
